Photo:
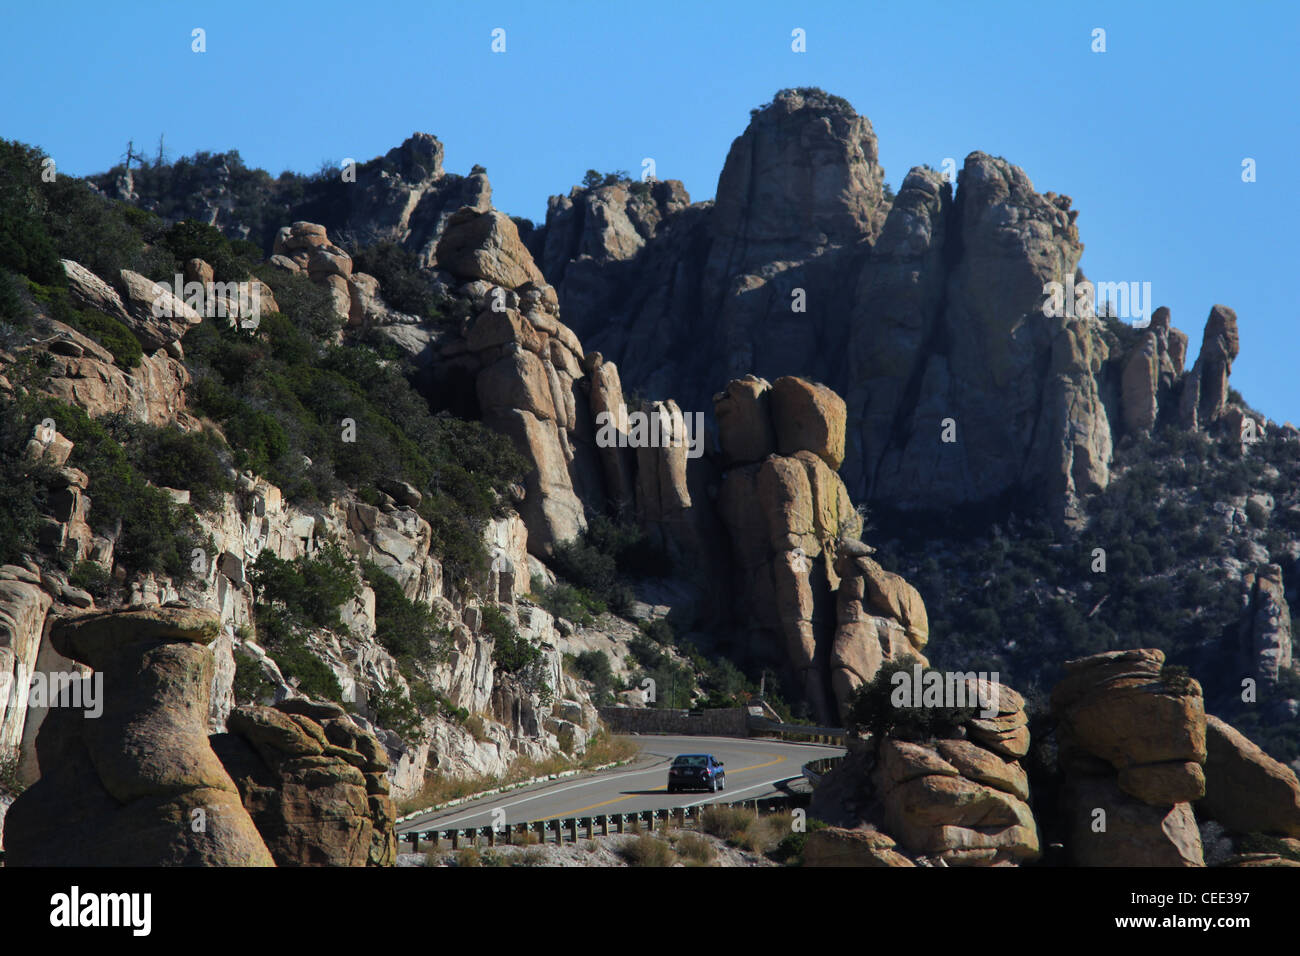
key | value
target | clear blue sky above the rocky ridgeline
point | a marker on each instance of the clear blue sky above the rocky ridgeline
(1149, 137)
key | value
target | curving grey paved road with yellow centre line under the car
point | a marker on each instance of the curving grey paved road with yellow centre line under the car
(755, 769)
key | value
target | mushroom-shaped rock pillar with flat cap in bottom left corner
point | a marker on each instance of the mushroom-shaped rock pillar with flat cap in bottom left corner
(138, 786)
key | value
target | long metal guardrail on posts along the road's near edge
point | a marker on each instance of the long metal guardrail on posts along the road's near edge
(567, 829)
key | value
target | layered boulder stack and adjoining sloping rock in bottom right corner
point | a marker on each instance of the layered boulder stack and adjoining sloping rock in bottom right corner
(1141, 755)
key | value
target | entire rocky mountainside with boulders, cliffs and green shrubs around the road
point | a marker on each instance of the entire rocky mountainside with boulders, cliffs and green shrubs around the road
(366, 486)
